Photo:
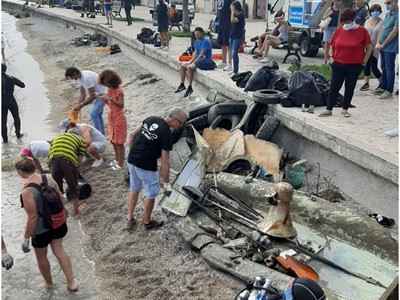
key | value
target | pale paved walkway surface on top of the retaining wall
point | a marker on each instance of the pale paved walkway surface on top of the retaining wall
(364, 129)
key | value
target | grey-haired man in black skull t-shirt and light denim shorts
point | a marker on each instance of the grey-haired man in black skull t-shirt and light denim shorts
(148, 142)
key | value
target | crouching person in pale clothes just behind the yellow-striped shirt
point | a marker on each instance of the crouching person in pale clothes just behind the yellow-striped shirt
(96, 142)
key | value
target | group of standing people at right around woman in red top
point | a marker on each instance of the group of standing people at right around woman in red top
(354, 41)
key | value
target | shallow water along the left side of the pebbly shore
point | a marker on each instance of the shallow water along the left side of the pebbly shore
(23, 280)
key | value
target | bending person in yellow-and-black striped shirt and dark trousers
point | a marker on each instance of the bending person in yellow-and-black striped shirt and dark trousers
(65, 157)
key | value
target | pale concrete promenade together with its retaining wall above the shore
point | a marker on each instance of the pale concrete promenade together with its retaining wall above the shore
(364, 162)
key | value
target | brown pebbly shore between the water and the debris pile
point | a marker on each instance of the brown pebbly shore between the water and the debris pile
(128, 265)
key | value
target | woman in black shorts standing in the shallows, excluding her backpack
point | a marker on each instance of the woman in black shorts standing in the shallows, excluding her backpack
(37, 228)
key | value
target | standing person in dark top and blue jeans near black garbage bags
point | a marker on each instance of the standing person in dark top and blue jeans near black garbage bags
(236, 34)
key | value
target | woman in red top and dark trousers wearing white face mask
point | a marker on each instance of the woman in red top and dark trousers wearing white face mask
(350, 49)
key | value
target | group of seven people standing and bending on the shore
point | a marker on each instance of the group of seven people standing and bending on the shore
(149, 141)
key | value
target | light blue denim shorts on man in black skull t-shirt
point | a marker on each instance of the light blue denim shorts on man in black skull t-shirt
(139, 178)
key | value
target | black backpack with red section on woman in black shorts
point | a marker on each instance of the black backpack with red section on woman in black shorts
(53, 212)
